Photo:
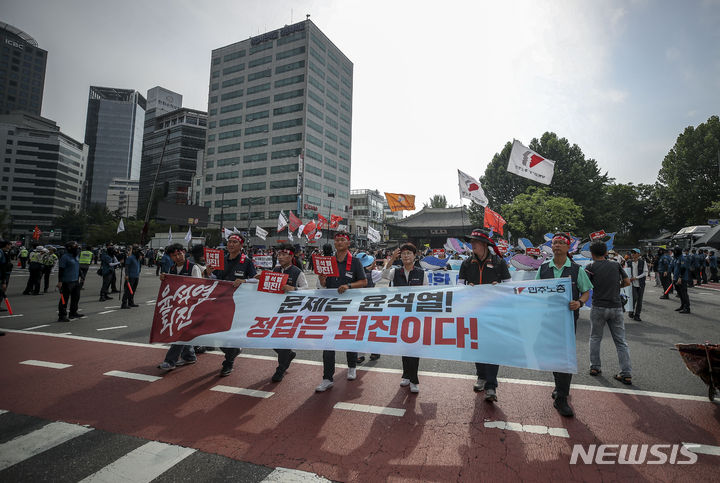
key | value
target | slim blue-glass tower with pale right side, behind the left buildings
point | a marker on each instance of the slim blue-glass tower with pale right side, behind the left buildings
(113, 131)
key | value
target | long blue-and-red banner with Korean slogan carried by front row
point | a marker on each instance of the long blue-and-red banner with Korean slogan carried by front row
(522, 324)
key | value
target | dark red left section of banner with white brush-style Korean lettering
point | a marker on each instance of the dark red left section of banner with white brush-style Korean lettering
(185, 308)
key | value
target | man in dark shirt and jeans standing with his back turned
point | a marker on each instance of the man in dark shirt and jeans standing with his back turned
(607, 278)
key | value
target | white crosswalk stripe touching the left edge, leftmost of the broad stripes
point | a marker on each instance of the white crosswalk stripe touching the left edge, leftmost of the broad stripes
(31, 444)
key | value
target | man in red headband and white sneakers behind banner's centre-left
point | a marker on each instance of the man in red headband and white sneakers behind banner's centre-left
(351, 275)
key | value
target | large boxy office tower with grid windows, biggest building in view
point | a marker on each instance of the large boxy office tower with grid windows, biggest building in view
(272, 99)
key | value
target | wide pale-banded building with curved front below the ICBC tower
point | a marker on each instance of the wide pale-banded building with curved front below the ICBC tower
(42, 172)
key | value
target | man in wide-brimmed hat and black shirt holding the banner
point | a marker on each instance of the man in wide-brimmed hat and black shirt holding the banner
(484, 267)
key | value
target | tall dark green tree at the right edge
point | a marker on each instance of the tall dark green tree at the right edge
(689, 180)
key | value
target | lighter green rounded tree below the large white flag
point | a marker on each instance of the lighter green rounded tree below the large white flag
(536, 212)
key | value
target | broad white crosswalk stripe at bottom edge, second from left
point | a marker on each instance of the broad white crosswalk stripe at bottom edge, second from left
(143, 464)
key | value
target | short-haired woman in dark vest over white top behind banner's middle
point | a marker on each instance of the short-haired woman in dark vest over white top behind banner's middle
(406, 275)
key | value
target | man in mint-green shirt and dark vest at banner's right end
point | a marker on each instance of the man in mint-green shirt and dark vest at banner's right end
(561, 265)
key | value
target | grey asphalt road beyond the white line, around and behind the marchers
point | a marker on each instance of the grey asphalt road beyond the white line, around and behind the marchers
(656, 366)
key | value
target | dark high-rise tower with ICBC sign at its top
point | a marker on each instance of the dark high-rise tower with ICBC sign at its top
(22, 71)
